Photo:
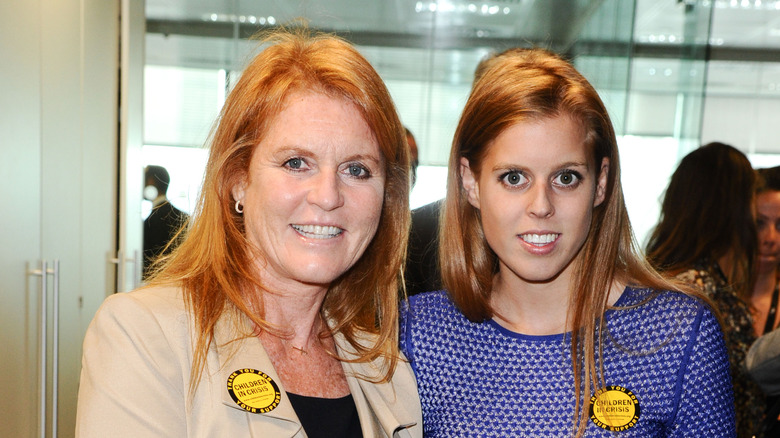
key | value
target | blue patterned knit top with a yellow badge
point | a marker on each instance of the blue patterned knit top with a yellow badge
(665, 367)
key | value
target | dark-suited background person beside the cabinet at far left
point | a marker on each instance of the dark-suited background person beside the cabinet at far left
(164, 221)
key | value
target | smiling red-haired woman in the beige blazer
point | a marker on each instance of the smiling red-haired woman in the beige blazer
(277, 315)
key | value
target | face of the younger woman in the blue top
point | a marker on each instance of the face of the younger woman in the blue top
(536, 191)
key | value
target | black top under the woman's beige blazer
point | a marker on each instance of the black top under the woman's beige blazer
(327, 417)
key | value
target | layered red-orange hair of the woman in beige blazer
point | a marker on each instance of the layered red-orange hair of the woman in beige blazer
(214, 264)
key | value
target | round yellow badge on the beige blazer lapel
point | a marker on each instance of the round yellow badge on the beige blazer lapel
(253, 390)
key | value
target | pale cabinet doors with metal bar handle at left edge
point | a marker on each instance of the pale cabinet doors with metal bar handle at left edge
(58, 202)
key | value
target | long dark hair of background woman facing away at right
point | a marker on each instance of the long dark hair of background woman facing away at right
(707, 213)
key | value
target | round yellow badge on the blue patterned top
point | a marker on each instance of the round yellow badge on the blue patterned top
(614, 408)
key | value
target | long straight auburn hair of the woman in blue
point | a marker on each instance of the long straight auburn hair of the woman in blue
(520, 86)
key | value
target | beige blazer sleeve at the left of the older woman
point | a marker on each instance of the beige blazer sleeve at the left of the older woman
(132, 384)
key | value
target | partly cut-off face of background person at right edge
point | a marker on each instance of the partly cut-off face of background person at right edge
(768, 220)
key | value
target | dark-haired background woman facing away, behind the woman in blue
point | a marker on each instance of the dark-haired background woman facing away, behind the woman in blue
(706, 237)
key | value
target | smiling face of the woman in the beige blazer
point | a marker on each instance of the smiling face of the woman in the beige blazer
(313, 195)
